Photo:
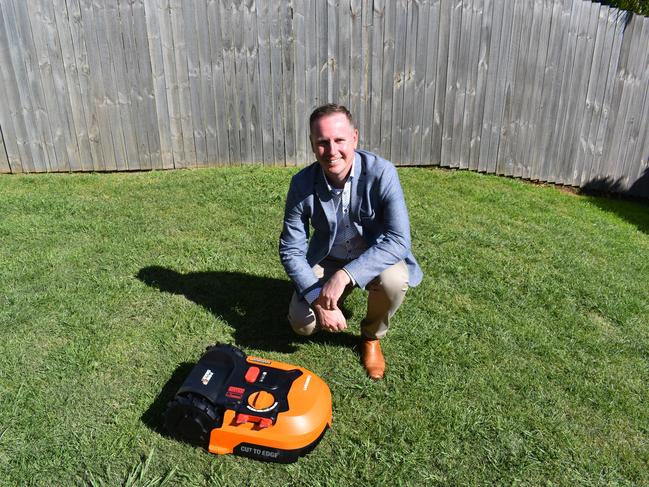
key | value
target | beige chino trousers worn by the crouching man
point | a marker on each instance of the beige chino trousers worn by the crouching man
(385, 294)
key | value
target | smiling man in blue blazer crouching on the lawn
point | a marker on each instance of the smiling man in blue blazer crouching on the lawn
(361, 236)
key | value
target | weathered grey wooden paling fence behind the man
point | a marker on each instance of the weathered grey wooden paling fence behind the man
(549, 90)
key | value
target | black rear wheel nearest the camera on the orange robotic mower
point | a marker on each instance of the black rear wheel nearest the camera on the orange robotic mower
(191, 418)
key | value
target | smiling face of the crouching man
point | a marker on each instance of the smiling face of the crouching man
(333, 140)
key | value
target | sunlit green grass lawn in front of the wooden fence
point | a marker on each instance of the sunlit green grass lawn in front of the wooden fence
(523, 357)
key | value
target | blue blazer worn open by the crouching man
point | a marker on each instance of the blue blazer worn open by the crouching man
(378, 210)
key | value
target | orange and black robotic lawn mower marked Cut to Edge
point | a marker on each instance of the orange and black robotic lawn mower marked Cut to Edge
(267, 410)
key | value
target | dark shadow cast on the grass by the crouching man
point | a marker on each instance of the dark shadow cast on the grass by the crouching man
(254, 306)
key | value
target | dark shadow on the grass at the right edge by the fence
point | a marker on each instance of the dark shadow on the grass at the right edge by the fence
(631, 204)
